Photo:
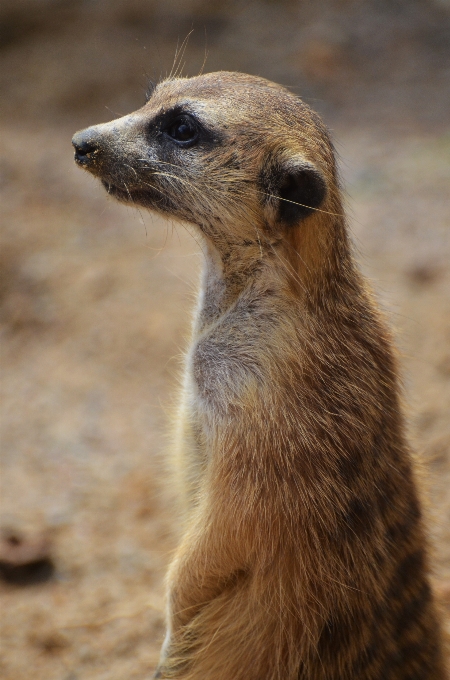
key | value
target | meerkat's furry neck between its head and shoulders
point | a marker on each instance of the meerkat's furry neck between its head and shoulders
(314, 261)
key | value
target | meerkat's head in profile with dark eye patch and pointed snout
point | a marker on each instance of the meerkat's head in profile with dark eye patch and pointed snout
(228, 152)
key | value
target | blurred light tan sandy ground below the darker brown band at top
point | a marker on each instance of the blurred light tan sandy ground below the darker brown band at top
(95, 303)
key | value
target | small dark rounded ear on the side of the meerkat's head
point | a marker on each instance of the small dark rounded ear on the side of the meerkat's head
(295, 190)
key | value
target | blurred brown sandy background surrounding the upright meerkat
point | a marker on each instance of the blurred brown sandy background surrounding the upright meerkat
(95, 297)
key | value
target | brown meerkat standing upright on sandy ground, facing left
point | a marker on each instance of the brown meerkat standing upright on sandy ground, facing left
(304, 555)
